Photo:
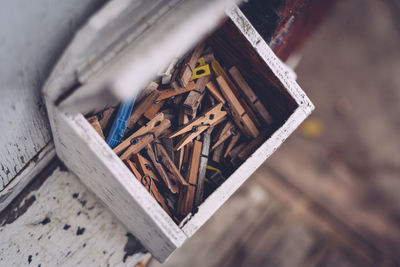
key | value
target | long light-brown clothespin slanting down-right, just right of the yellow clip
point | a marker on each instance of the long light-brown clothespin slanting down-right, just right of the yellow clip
(239, 114)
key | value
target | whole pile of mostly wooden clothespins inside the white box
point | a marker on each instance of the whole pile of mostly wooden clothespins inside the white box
(188, 131)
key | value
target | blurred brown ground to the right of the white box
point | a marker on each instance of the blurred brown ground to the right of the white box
(330, 196)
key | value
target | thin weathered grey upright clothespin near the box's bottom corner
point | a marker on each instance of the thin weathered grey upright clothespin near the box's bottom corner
(202, 169)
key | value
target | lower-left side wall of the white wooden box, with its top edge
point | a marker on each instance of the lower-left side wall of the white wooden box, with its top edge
(123, 194)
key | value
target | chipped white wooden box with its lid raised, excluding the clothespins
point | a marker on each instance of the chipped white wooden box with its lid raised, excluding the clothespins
(113, 57)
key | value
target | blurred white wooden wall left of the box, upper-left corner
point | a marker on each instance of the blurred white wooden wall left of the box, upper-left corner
(33, 35)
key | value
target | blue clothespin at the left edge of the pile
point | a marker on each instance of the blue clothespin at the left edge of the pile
(119, 125)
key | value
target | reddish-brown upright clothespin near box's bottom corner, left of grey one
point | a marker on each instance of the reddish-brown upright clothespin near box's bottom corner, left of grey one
(186, 197)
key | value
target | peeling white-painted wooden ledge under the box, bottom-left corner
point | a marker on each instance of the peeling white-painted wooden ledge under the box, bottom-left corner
(57, 221)
